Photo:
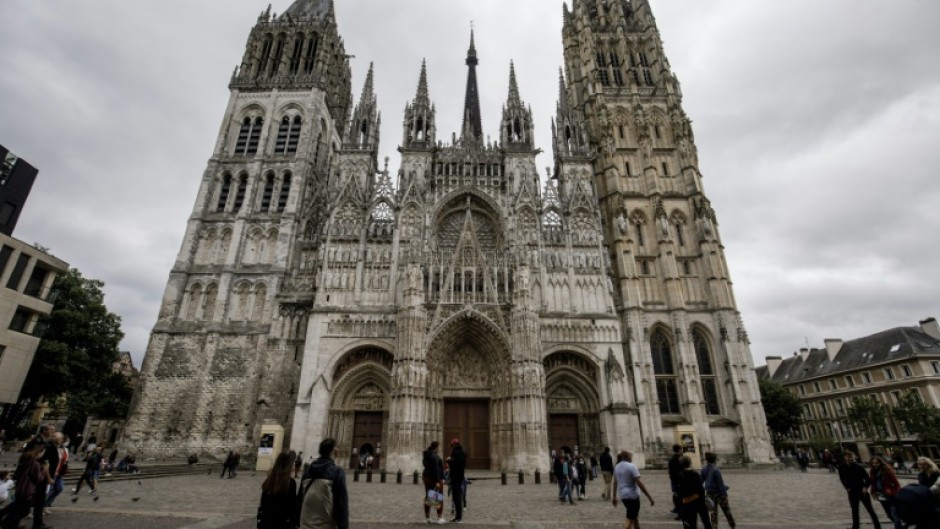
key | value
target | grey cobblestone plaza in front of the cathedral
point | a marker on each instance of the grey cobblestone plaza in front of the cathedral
(786, 499)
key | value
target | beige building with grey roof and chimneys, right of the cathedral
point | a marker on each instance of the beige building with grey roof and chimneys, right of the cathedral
(884, 366)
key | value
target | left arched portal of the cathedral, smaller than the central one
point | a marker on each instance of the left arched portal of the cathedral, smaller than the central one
(359, 406)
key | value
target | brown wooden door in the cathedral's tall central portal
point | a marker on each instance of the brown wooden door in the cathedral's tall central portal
(469, 421)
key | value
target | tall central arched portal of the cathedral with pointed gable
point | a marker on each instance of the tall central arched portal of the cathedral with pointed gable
(469, 389)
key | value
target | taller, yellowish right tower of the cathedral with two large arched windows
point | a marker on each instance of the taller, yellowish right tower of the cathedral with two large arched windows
(688, 351)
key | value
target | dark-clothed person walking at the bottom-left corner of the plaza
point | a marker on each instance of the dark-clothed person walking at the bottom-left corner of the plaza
(31, 477)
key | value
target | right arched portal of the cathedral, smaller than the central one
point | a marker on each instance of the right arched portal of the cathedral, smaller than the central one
(573, 402)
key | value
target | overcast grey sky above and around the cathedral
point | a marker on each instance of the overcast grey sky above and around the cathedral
(817, 123)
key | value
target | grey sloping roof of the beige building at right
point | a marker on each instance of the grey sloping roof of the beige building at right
(883, 347)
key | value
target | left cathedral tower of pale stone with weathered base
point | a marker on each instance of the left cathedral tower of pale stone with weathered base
(224, 355)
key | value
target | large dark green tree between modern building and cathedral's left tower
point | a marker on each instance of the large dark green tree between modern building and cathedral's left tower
(72, 368)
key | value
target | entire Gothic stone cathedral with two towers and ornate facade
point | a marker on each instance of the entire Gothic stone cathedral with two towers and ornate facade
(464, 295)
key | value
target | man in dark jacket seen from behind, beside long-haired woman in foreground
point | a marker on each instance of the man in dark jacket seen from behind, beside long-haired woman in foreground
(324, 498)
